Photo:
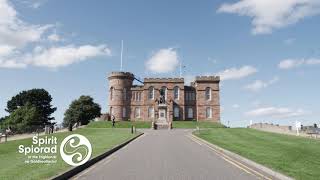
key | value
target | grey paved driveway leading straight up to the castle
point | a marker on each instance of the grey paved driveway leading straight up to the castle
(165, 155)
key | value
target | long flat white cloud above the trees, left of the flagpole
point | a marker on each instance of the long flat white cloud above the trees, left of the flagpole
(62, 56)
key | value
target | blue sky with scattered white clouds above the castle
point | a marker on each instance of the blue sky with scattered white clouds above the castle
(266, 52)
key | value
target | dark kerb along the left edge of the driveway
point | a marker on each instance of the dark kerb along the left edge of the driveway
(72, 172)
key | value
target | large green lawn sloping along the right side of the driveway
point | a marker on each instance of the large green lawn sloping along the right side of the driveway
(294, 156)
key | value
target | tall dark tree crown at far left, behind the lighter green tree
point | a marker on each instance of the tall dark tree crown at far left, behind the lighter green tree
(38, 98)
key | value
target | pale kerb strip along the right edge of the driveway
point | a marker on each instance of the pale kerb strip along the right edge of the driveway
(245, 160)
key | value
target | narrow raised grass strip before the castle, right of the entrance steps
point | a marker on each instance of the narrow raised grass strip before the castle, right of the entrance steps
(194, 124)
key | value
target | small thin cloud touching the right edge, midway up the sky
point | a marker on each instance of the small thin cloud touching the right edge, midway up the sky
(293, 63)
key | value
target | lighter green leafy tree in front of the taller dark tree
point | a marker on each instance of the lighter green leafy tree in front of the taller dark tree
(24, 119)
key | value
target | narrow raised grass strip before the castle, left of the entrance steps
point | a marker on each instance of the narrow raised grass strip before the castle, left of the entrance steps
(119, 124)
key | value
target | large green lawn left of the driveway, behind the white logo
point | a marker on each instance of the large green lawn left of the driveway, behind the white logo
(12, 164)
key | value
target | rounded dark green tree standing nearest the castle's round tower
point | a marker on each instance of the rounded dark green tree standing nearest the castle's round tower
(81, 111)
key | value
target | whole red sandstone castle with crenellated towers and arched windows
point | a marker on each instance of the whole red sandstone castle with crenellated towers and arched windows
(163, 99)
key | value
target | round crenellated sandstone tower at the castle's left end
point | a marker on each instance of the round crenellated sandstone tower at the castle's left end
(119, 94)
